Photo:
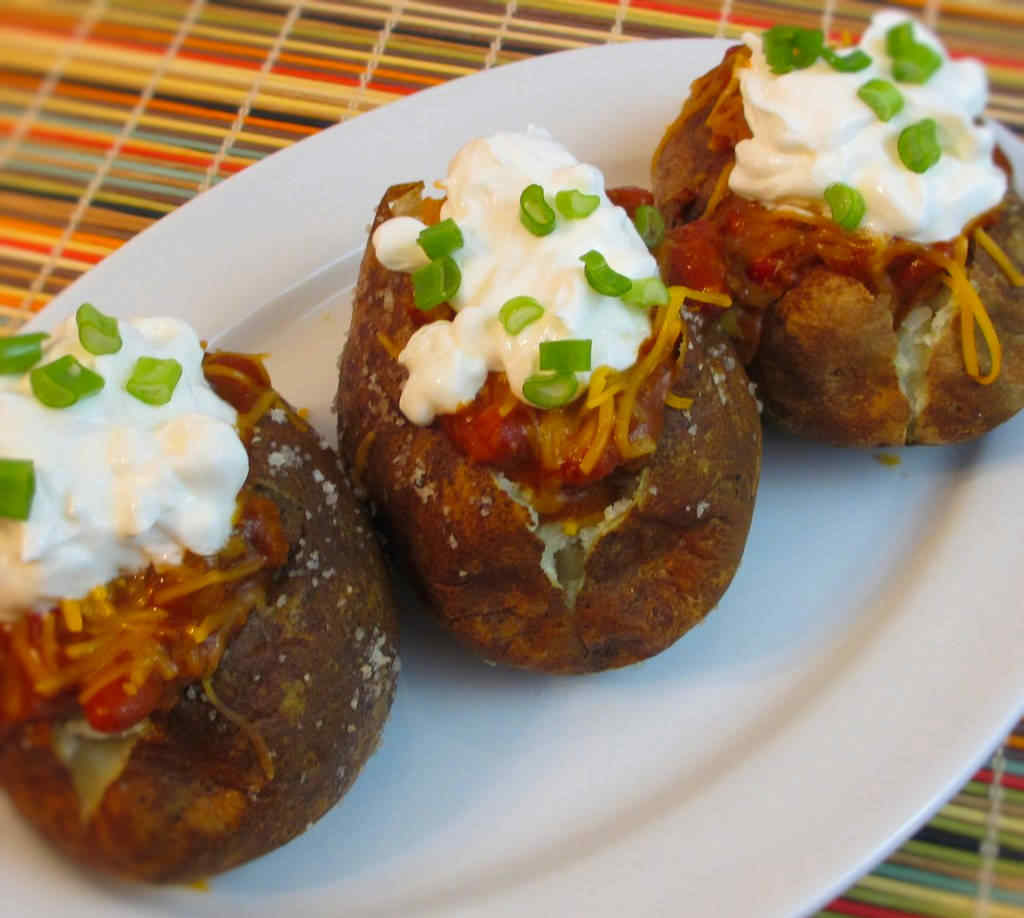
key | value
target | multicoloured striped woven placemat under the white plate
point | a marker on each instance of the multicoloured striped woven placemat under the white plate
(113, 113)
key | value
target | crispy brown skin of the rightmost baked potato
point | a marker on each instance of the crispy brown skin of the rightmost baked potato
(823, 352)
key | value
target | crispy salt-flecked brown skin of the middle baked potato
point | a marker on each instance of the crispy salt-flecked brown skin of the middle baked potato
(474, 552)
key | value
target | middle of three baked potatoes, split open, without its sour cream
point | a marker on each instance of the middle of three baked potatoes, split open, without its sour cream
(582, 576)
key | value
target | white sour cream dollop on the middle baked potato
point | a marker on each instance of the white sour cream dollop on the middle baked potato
(449, 361)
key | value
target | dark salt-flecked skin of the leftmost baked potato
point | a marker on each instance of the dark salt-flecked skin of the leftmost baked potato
(314, 671)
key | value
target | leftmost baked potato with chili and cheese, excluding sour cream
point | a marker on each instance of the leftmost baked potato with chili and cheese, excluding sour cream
(282, 666)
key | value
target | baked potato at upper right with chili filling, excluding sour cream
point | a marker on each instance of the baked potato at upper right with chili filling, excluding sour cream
(854, 339)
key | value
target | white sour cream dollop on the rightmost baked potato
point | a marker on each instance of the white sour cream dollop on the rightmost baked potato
(812, 131)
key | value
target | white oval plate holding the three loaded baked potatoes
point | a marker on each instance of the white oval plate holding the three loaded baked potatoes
(866, 660)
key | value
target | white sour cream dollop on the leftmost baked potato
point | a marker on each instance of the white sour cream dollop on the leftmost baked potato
(120, 484)
